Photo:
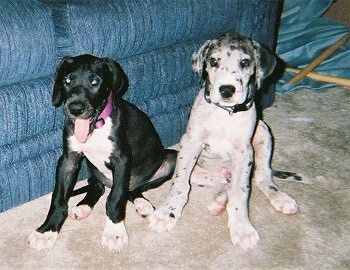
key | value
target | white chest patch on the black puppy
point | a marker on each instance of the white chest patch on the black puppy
(97, 147)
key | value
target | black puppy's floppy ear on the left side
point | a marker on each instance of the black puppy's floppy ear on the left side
(58, 90)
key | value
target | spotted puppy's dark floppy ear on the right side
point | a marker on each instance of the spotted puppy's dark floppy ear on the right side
(265, 63)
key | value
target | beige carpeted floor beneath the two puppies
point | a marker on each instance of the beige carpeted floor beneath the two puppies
(312, 137)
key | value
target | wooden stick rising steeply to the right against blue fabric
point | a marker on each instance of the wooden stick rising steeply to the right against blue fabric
(319, 59)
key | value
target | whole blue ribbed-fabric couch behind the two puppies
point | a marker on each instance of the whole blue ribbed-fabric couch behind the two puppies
(153, 40)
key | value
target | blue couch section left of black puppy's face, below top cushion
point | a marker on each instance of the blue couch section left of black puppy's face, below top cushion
(26, 110)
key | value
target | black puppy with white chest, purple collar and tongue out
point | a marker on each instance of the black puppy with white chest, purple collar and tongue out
(121, 146)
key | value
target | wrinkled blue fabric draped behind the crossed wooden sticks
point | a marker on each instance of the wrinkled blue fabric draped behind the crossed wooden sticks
(304, 34)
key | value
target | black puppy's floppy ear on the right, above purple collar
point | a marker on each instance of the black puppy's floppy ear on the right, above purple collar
(119, 78)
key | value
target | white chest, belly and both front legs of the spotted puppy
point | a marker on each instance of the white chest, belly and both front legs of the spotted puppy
(214, 146)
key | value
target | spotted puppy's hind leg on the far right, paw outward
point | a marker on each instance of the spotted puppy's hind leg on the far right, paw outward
(263, 179)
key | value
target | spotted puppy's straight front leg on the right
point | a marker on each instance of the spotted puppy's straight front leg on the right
(241, 230)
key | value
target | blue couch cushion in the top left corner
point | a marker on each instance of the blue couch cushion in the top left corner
(27, 41)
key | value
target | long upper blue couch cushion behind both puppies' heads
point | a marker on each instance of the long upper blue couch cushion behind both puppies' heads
(122, 28)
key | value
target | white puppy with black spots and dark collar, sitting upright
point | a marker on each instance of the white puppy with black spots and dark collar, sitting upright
(224, 140)
